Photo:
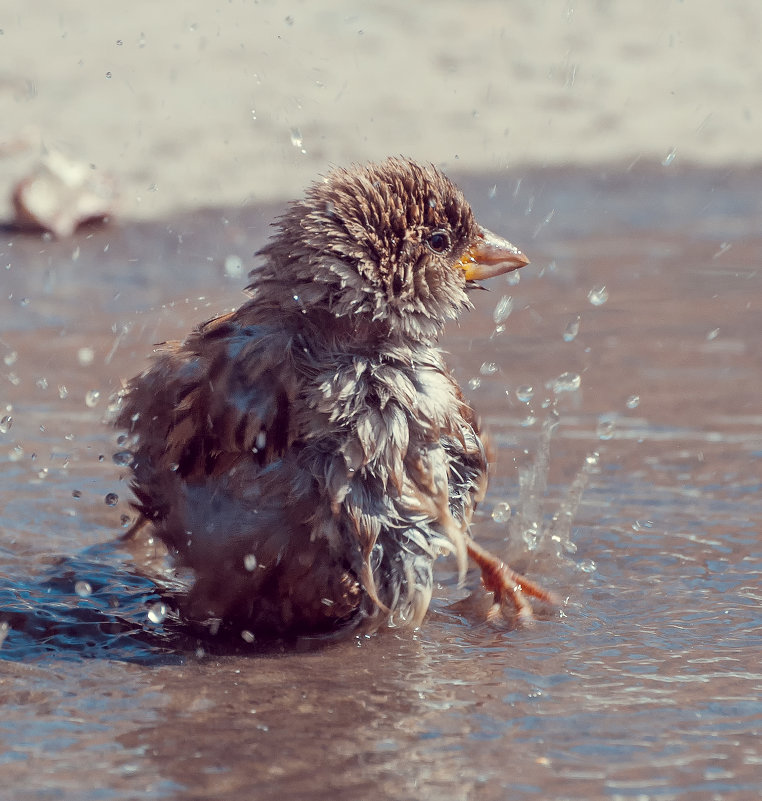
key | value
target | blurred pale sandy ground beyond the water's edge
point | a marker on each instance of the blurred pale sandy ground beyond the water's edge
(203, 103)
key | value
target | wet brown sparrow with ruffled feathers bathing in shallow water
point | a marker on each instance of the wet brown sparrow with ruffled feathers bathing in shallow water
(309, 455)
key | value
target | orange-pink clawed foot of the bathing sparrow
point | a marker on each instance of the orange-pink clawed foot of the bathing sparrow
(509, 588)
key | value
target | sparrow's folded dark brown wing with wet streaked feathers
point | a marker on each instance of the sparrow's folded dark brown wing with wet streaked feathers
(224, 393)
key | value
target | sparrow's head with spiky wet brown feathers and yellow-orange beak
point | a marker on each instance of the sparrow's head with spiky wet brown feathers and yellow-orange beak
(394, 245)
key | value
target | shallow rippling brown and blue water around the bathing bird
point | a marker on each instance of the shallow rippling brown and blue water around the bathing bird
(647, 683)
